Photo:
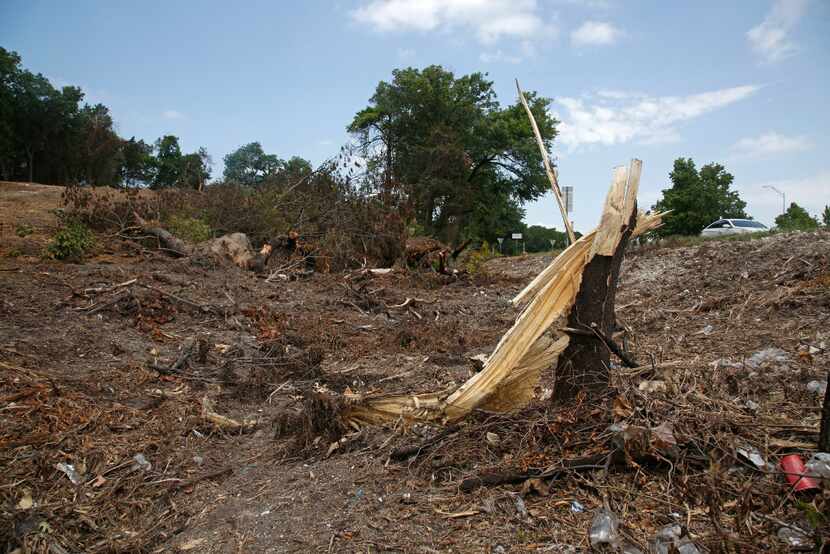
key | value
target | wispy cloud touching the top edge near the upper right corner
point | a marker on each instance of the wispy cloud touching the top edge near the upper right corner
(770, 40)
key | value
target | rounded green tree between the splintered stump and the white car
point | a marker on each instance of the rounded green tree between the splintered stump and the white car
(697, 198)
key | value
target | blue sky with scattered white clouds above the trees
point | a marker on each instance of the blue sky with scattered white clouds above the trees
(744, 83)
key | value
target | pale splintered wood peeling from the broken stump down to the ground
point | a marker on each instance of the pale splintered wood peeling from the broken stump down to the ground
(534, 342)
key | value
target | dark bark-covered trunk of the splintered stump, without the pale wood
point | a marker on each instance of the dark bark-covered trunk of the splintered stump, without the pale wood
(584, 365)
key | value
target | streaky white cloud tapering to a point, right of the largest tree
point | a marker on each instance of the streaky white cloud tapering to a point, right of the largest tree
(624, 117)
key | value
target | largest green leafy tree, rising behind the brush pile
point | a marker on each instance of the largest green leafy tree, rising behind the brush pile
(449, 153)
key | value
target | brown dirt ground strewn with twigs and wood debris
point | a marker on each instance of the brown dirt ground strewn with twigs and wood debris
(86, 380)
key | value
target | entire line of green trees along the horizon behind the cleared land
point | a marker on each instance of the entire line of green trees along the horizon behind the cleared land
(439, 150)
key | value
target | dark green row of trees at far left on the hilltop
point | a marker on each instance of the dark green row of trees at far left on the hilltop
(50, 135)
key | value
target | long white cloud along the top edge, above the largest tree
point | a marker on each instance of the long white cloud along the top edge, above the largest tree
(489, 19)
